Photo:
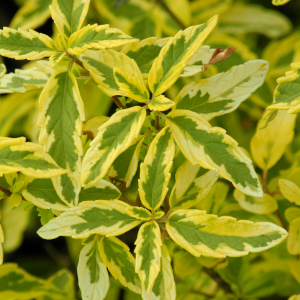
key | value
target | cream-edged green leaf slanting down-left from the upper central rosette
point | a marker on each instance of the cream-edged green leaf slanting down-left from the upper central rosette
(113, 138)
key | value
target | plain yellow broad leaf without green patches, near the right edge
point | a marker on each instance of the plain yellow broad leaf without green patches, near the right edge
(269, 144)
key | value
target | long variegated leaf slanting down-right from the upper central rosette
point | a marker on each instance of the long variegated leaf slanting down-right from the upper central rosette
(213, 149)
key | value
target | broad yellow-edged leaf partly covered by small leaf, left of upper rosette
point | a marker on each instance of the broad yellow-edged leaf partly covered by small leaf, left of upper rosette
(101, 64)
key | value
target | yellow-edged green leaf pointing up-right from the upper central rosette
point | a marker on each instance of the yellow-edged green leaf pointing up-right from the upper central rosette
(173, 57)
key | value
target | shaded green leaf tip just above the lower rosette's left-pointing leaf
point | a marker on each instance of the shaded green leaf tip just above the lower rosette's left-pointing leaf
(103, 190)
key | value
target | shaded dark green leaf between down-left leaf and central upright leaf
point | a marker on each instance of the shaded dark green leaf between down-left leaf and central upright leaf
(126, 164)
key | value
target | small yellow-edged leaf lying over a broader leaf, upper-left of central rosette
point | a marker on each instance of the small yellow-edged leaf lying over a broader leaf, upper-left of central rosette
(133, 86)
